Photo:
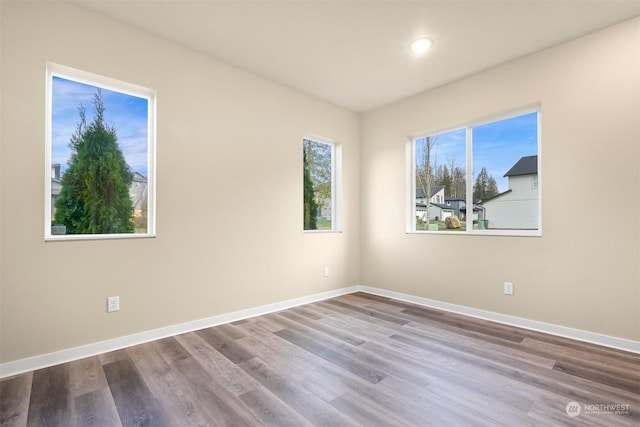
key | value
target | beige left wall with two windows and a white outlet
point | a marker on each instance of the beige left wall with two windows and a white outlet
(225, 140)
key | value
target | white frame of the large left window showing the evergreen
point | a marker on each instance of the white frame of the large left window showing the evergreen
(98, 81)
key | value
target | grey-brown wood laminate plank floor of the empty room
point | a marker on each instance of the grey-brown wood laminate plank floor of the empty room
(354, 360)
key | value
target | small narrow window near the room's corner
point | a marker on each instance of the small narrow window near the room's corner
(321, 176)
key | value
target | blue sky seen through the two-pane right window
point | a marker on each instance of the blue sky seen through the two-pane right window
(496, 146)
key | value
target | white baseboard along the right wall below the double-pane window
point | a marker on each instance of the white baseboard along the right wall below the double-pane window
(562, 331)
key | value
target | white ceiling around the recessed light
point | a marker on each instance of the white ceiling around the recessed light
(355, 54)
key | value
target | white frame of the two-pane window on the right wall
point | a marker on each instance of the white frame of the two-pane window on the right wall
(410, 157)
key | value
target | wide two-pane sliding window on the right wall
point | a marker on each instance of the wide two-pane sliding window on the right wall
(478, 179)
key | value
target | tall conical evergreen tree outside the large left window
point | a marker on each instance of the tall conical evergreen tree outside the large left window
(94, 198)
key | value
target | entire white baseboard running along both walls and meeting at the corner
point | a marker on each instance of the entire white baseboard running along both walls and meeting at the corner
(67, 355)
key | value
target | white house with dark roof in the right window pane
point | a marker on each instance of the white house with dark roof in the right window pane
(516, 208)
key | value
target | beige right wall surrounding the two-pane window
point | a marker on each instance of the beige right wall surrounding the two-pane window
(584, 271)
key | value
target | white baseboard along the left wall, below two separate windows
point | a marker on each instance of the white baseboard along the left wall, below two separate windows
(67, 355)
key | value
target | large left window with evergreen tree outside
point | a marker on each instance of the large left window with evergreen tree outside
(100, 151)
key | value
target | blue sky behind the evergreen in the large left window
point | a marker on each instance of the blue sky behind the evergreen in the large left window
(126, 113)
